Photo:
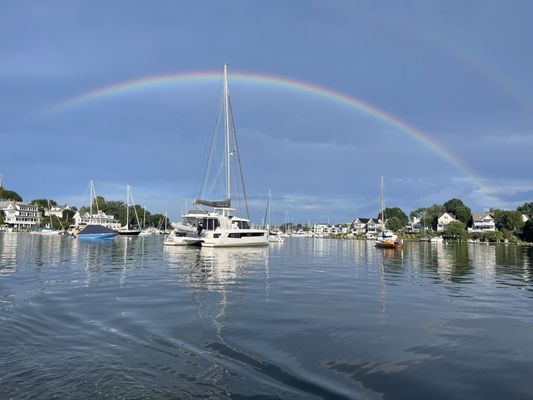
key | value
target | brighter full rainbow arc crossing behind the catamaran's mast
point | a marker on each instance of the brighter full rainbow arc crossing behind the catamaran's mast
(162, 81)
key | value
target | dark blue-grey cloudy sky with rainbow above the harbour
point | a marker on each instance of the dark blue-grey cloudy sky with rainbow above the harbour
(328, 96)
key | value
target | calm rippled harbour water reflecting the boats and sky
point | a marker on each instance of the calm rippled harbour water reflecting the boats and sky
(129, 318)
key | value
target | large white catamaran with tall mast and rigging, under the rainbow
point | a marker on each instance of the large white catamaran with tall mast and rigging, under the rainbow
(219, 226)
